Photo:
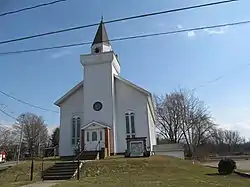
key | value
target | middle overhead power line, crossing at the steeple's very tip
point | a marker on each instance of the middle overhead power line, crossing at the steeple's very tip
(116, 20)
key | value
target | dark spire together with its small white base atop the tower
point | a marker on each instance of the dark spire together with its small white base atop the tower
(101, 41)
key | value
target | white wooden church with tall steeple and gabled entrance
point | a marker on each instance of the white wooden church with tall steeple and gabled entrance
(104, 109)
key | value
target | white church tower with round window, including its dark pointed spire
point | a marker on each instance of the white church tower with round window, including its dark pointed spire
(100, 68)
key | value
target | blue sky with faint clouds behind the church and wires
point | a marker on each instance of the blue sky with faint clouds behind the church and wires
(159, 64)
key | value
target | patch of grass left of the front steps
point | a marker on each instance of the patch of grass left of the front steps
(20, 174)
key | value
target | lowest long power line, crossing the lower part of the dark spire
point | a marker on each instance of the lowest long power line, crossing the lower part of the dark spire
(129, 37)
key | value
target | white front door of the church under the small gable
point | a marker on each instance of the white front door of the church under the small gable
(94, 139)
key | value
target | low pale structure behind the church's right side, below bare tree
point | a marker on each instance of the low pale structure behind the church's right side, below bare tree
(174, 150)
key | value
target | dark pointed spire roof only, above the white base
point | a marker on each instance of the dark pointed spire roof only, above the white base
(101, 36)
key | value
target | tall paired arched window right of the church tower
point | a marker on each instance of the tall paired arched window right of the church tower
(130, 124)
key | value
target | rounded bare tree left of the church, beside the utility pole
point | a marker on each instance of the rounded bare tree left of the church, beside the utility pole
(35, 133)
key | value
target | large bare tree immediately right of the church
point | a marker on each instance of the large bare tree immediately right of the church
(183, 117)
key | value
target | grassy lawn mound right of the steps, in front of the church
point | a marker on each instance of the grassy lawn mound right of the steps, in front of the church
(154, 171)
